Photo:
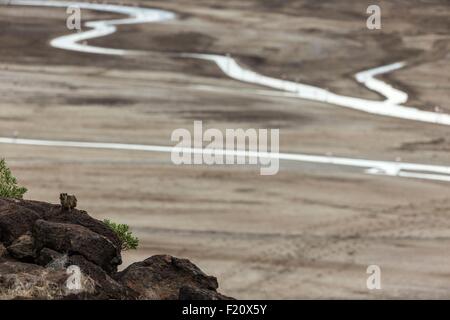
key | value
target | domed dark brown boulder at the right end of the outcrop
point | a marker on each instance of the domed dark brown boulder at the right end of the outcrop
(161, 277)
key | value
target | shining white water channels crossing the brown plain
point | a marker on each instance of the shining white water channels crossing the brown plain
(391, 106)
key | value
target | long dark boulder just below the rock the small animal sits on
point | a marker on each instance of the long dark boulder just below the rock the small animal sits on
(76, 239)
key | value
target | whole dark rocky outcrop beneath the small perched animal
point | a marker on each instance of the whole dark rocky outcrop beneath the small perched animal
(39, 241)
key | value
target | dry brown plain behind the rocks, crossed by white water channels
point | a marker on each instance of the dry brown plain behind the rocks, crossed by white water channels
(308, 232)
